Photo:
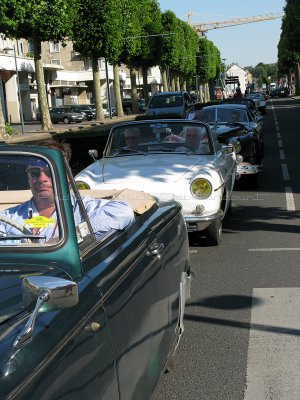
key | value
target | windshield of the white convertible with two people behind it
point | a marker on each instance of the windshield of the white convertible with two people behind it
(159, 137)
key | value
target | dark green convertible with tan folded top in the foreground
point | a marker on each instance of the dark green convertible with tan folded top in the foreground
(80, 316)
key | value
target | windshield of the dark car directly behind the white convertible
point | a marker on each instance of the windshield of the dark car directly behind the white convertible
(219, 115)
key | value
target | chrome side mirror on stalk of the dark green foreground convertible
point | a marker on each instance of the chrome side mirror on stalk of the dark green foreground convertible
(54, 293)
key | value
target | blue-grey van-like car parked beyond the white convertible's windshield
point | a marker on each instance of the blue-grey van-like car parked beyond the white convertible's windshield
(169, 104)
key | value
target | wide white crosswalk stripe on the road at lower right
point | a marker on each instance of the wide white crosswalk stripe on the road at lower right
(273, 367)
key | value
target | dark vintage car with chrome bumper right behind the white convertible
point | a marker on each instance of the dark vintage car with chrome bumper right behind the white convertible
(236, 124)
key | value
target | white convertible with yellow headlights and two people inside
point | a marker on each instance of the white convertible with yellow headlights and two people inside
(171, 159)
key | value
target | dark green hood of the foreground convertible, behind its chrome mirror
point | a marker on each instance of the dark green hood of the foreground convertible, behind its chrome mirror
(11, 277)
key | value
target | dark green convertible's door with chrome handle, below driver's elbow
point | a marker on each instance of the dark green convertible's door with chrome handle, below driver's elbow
(140, 301)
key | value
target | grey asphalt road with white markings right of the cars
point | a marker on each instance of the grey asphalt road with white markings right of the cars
(242, 330)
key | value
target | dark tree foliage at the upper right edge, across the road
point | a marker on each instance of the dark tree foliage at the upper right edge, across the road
(289, 43)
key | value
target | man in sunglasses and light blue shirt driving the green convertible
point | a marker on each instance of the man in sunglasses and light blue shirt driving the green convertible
(104, 215)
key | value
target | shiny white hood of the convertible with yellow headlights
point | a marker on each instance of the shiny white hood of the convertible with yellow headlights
(140, 169)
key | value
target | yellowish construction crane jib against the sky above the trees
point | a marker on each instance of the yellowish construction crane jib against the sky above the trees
(203, 27)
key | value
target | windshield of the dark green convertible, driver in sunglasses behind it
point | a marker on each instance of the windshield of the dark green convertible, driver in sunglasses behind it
(29, 215)
